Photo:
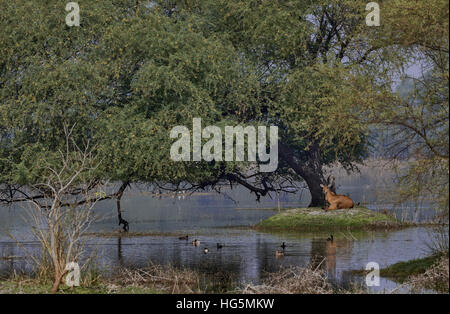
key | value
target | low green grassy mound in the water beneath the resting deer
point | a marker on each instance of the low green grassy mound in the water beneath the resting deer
(317, 219)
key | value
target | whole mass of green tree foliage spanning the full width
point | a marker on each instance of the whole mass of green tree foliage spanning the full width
(135, 69)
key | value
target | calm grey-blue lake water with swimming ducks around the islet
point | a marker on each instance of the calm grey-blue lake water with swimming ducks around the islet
(224, 218)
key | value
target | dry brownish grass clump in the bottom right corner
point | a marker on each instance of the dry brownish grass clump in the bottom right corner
(435, 277)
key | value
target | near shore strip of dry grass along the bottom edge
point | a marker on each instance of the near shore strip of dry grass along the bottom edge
(158, 279)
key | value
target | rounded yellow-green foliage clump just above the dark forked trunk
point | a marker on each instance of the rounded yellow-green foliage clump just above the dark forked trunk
(322, 107)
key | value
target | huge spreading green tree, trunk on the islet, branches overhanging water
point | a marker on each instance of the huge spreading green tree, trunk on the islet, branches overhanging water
(133, 70)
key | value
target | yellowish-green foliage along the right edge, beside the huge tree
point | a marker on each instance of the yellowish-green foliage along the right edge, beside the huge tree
(416, 116)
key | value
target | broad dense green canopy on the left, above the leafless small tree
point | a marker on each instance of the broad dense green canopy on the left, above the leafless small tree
(124, 80)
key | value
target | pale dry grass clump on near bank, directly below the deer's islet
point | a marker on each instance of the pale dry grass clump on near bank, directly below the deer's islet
(292, 280)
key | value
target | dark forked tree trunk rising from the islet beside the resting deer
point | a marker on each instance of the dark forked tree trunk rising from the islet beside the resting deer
(310, 171)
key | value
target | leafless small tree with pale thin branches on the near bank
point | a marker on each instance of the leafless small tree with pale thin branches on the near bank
(69, 190)
